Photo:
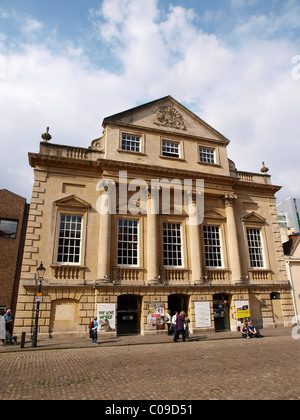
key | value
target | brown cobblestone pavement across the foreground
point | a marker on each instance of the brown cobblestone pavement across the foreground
(267, 368)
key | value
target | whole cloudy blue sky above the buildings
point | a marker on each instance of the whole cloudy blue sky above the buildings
(68, 64)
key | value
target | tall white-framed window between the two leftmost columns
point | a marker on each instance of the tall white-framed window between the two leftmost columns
(127, 243)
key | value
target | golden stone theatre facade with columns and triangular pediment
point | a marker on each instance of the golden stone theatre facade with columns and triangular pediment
(141, 262)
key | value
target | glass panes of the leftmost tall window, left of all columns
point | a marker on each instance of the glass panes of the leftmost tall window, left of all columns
(68, 247)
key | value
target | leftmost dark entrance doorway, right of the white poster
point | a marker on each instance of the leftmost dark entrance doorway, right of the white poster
(129, 314)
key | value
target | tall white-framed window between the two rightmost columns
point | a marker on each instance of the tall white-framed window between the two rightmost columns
(213, 233)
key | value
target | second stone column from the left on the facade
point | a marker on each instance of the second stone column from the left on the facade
(152, 238)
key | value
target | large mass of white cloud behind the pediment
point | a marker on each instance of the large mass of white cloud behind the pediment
(245, 91)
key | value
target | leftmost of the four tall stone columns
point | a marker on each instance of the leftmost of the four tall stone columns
(104, 257)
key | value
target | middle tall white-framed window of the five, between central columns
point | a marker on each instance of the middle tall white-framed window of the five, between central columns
(168, 241)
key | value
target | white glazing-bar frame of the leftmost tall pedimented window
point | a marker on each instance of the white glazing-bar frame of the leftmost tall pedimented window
(78, 237)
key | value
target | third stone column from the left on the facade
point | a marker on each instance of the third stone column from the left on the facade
(195, 250)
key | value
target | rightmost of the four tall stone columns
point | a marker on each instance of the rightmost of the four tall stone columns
(233, 245)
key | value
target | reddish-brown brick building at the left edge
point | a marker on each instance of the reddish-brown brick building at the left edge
(13, 221)
